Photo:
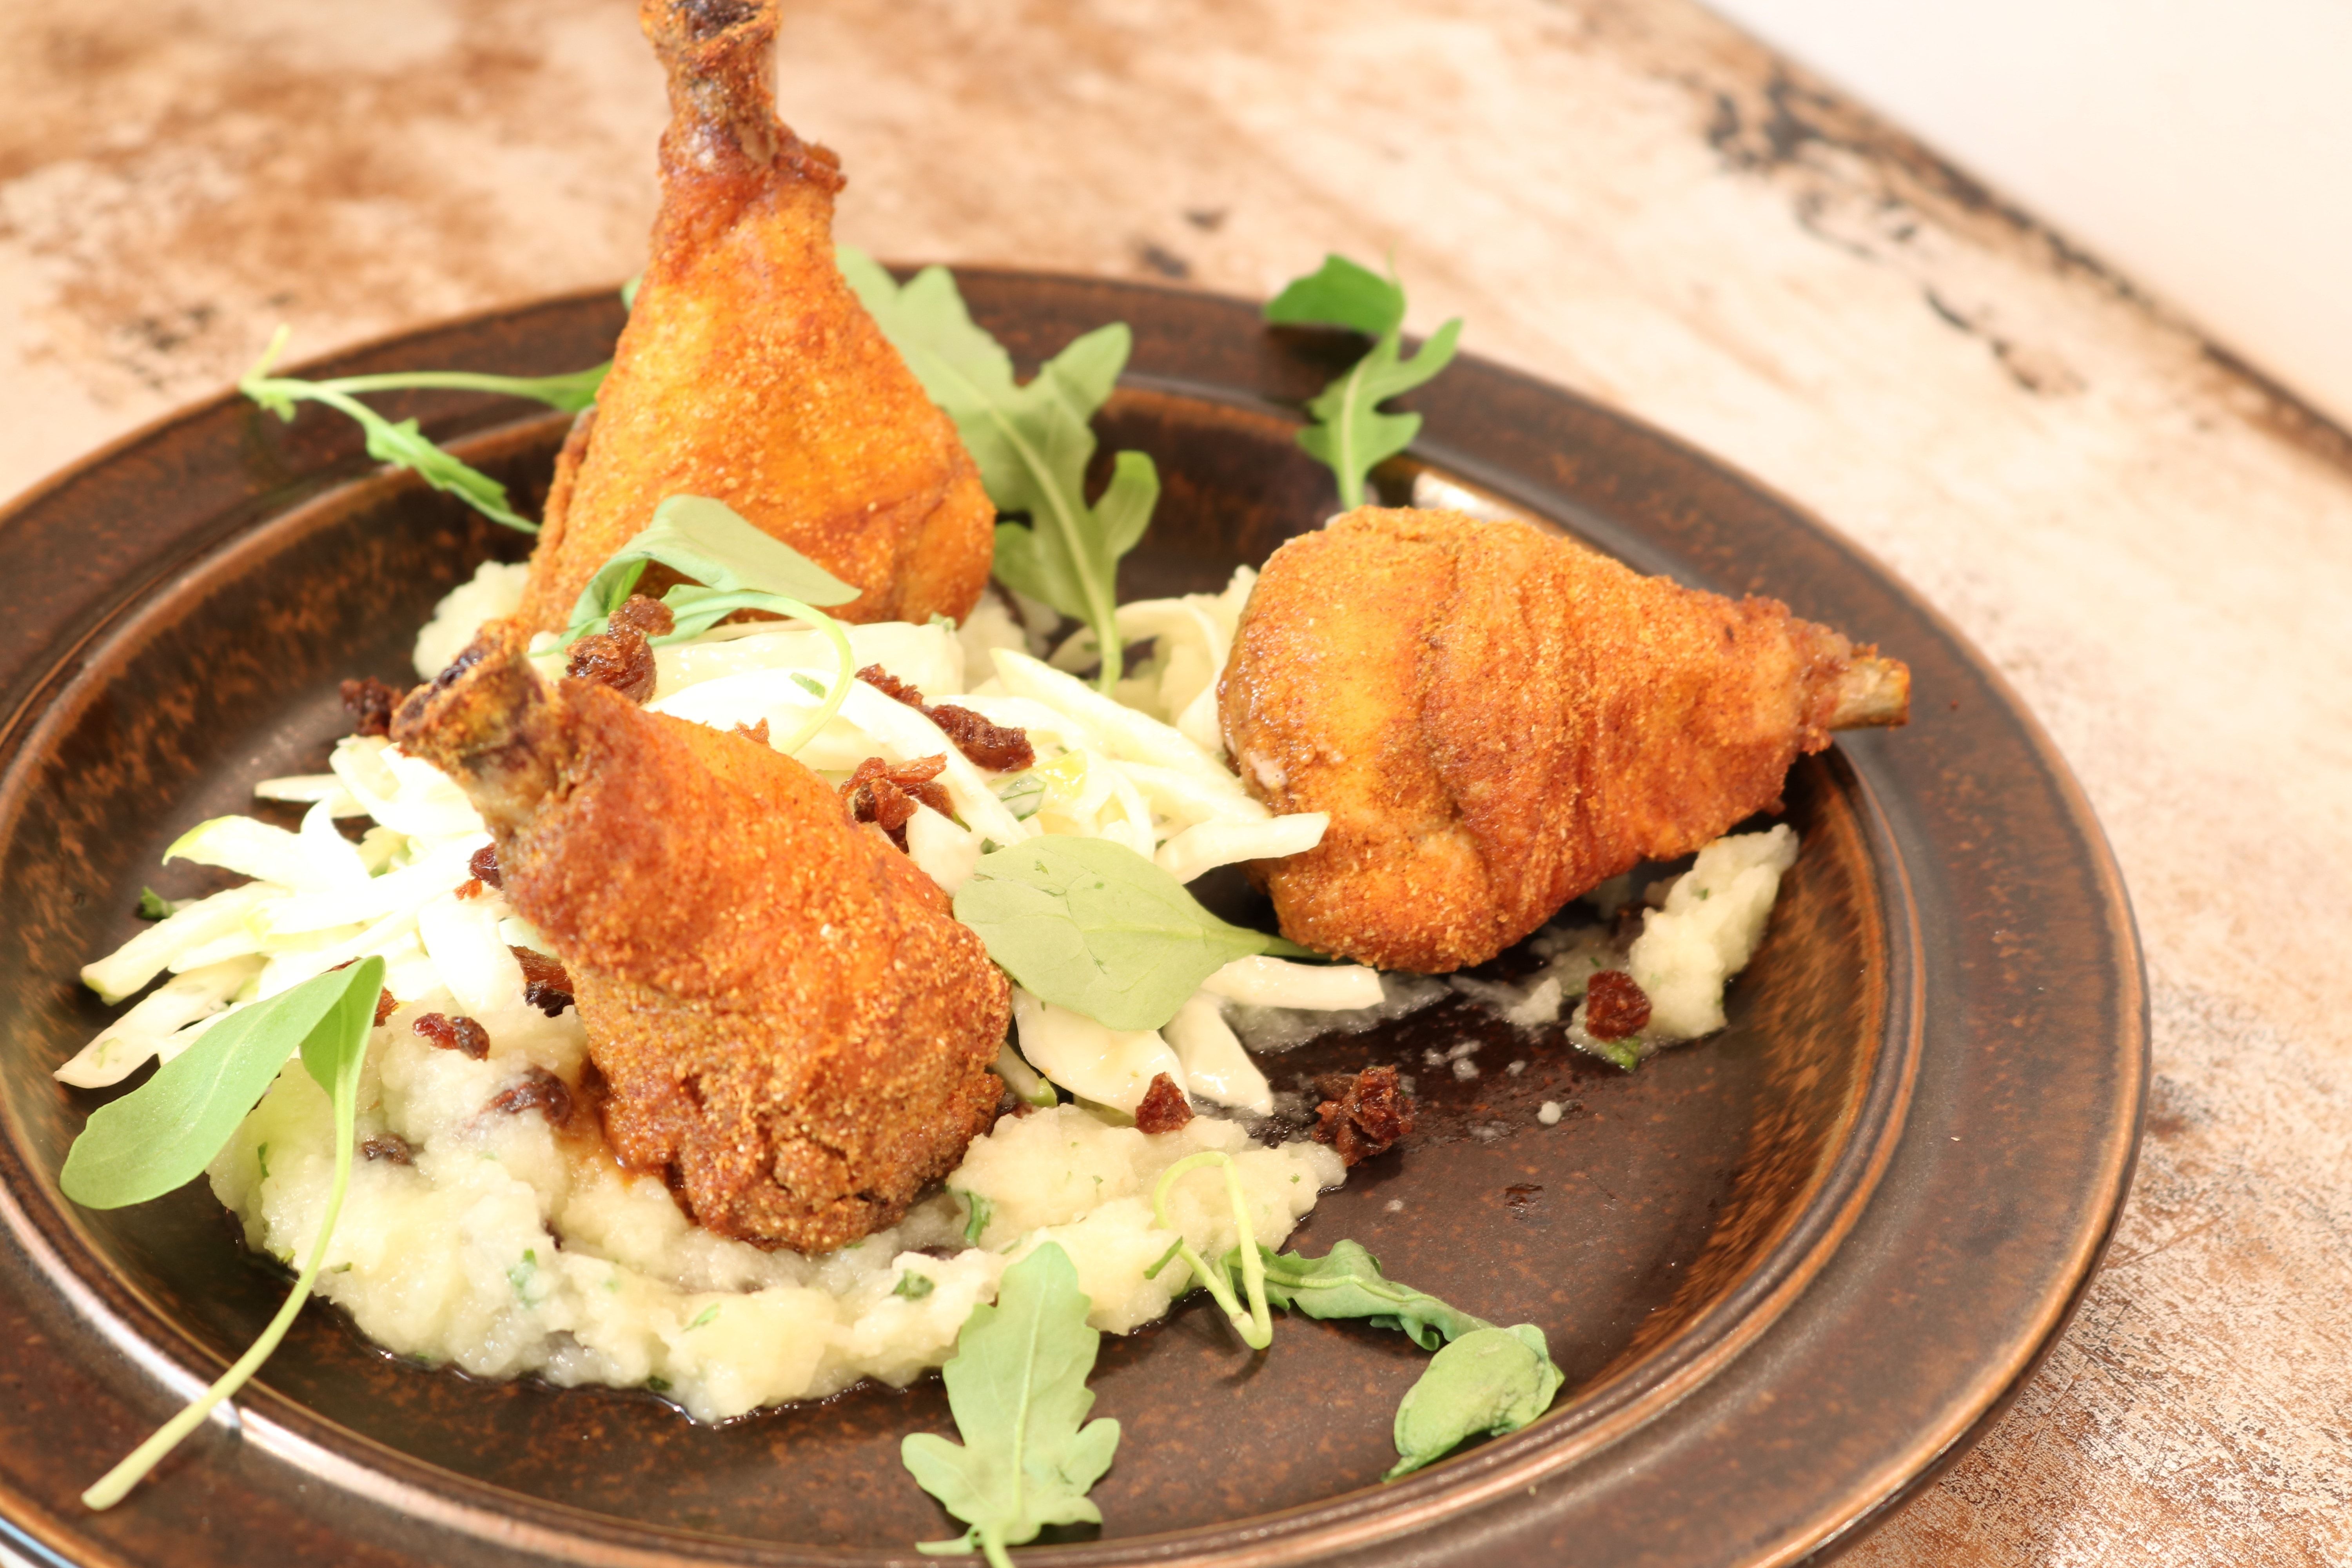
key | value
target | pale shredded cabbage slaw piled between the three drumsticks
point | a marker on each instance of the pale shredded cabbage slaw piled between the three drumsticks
(1144, 770)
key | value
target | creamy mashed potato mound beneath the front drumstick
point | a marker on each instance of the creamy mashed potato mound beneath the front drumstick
(500, 1245)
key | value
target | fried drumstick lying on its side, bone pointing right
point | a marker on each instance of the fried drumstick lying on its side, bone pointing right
(1499, 721)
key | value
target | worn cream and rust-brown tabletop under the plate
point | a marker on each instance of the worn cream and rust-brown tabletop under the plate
(1622, 196)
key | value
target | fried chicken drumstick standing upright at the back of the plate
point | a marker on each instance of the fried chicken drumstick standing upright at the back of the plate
(749, 370)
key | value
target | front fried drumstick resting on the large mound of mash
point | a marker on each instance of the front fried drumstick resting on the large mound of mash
(789, 1021)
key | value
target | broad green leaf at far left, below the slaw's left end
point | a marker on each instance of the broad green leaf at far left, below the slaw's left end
(166, 1132)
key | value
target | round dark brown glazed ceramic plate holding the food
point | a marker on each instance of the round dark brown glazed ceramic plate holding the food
(1789, 1271)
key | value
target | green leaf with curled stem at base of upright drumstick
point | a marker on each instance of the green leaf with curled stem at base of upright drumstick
(735, 568)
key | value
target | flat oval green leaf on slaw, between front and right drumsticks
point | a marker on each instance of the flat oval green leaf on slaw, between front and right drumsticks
(1100, 930)
